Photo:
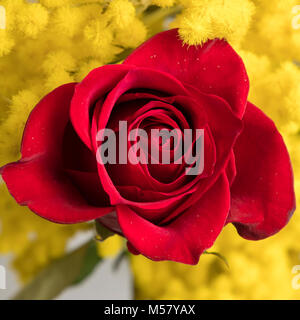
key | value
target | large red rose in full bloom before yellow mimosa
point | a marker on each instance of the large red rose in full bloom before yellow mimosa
(164, 213)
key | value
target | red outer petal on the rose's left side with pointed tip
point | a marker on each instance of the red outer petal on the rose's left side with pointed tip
(38, 180)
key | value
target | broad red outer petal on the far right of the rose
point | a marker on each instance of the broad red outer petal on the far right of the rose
(263, 198)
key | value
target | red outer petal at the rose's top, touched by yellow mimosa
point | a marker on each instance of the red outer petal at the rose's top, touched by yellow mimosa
(213, 68)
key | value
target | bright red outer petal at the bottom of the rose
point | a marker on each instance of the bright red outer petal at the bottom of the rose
(184, 239)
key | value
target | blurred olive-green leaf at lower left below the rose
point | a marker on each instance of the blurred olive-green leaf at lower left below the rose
(60, 274)
